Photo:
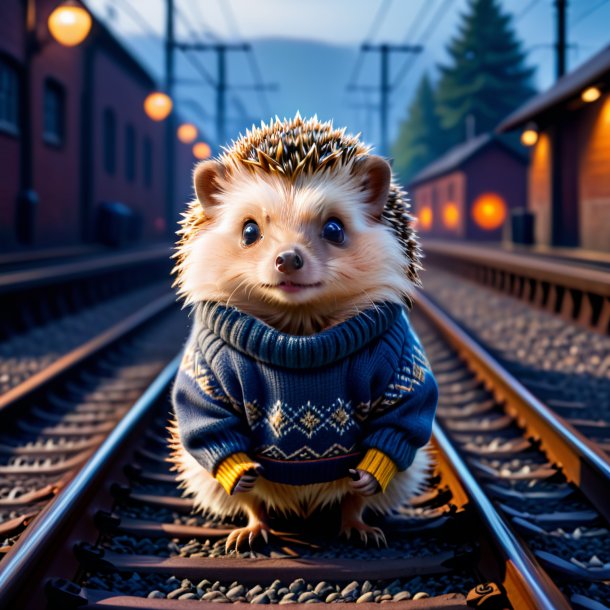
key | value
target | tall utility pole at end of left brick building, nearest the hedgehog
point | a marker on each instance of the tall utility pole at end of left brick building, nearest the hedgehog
(170, 124)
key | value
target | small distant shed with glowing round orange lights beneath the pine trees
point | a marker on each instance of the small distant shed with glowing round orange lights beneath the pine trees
(468, 193)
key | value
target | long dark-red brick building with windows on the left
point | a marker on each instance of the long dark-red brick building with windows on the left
(91, 140)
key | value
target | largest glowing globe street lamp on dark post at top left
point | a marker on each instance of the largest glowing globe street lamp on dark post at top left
(69, 24)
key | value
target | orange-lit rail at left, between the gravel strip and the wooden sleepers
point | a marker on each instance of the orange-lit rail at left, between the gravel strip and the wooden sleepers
(85, 351)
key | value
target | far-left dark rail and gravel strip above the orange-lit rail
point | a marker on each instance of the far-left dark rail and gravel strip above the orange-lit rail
(51, 310)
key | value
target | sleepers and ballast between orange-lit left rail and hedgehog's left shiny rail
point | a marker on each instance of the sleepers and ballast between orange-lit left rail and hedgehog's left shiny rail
(61, 423)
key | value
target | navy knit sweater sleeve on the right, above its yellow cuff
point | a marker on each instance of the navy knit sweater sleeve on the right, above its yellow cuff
(401, 421)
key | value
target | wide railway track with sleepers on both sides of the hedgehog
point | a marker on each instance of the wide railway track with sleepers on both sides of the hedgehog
(516, 514)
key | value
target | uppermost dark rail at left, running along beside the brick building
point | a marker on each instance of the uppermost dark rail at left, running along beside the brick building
(16, 281)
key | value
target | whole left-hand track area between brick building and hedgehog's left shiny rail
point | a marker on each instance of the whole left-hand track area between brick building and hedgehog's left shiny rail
(72, 373)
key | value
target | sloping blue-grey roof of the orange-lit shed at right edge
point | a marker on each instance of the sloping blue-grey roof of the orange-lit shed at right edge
(567, 87)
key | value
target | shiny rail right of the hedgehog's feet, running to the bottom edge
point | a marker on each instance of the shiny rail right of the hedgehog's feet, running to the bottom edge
(526, 582)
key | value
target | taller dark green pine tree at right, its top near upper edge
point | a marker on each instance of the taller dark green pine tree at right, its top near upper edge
(487, 76)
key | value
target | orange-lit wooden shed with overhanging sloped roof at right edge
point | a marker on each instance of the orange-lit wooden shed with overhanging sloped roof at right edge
(569, 177)
